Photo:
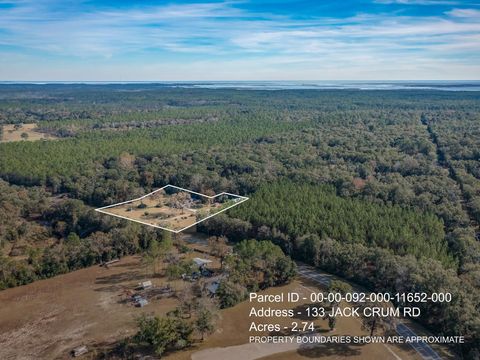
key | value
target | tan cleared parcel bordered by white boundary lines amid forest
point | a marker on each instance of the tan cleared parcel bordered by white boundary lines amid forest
(173, 208)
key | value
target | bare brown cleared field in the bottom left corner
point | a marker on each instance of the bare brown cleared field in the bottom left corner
(46, 319)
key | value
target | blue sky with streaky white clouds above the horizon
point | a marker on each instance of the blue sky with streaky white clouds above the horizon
(118, 40)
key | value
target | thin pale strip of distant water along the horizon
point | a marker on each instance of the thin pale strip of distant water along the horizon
(453, 85)
